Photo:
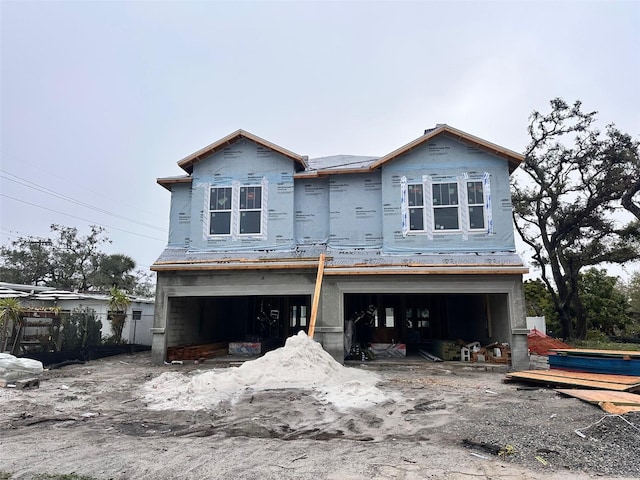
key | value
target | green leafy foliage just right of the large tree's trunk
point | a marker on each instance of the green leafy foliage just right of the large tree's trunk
(605, 302)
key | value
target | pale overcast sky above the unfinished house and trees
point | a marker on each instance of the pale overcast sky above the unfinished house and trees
(100, 98)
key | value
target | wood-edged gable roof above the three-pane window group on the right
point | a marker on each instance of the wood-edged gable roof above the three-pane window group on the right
(512, 157)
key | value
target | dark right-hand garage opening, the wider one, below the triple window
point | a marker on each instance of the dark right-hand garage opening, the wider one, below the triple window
(427, 322)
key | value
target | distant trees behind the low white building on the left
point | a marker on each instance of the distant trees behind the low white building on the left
(70, 261)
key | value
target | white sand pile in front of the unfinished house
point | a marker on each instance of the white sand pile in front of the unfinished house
(300, 364)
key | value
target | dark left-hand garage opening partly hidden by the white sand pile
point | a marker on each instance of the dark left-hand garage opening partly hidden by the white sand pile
(213, 323)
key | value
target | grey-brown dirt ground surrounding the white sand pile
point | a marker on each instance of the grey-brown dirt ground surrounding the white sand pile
(91, 419)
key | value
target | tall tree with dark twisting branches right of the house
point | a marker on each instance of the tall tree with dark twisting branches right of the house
(565, 199)
